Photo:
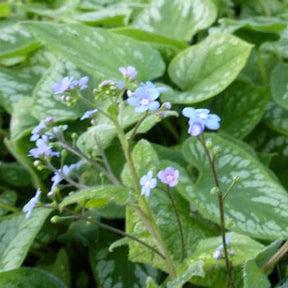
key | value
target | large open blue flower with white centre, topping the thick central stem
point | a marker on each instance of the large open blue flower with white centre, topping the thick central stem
(144, 97)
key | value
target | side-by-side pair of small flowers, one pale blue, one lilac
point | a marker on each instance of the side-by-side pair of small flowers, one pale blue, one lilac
(167, 176)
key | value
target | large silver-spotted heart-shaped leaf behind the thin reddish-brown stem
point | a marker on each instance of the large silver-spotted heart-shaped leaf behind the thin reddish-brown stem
(257, 203)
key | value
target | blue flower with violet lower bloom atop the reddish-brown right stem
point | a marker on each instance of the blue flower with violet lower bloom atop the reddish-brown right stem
(199, 119)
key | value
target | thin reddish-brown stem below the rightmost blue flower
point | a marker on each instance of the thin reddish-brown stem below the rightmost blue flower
(221, 210)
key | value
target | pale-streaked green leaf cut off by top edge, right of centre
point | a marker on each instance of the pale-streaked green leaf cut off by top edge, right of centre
(180, 20)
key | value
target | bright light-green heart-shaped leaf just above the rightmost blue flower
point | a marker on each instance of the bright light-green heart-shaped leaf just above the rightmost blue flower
(206, 69)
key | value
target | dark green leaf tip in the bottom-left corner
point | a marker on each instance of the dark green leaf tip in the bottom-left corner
(29, 277)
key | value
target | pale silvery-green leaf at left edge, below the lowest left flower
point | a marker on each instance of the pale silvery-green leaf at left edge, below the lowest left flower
(17, 234)
